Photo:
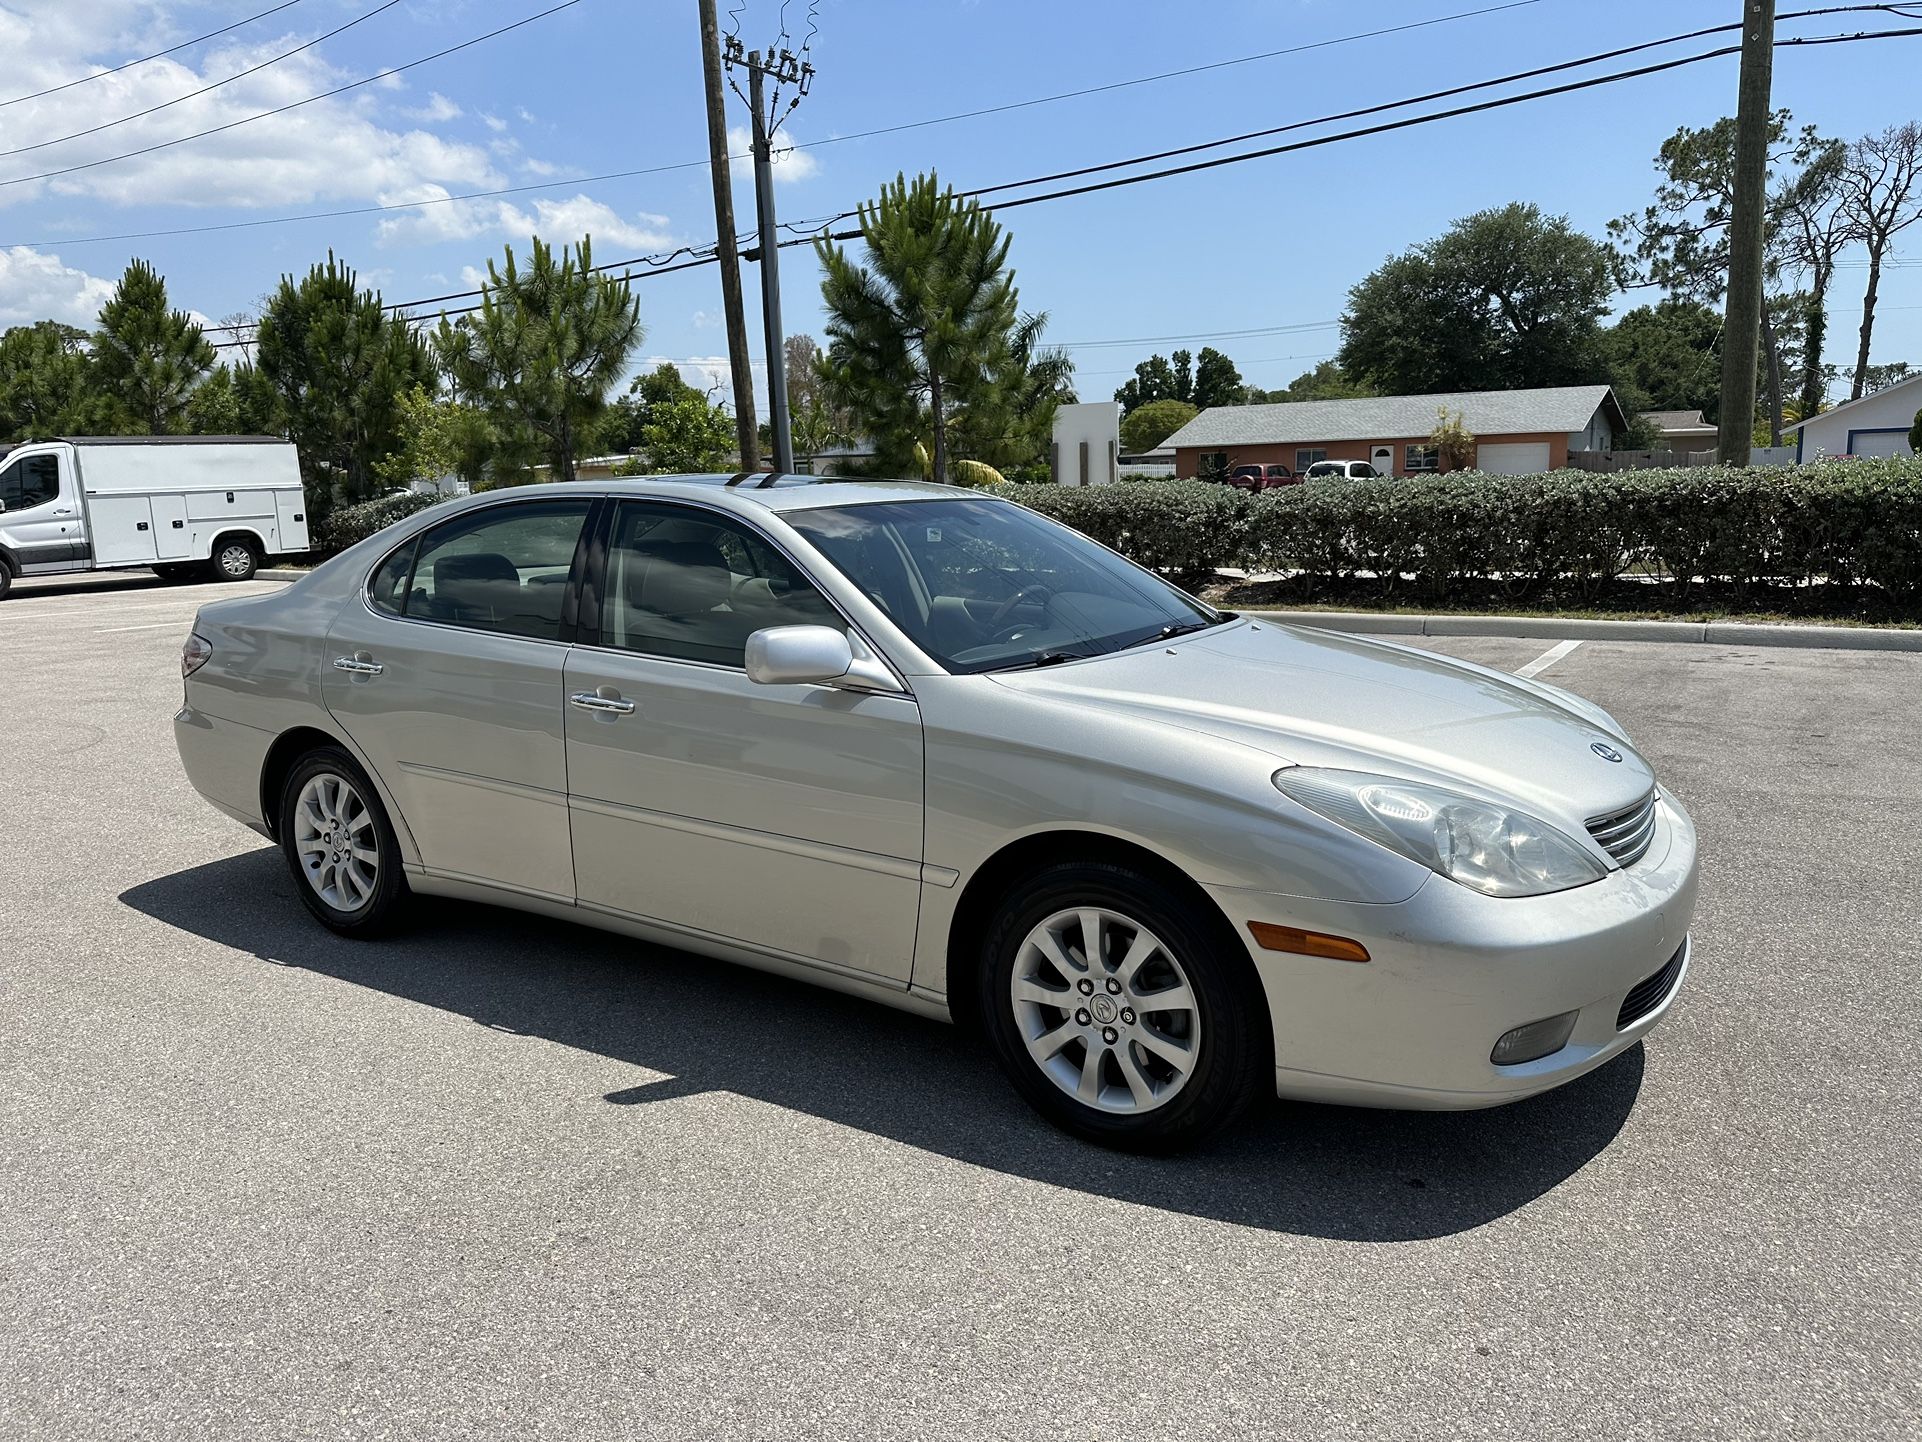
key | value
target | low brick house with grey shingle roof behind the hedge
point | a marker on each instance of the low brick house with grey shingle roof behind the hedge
(1517, 432)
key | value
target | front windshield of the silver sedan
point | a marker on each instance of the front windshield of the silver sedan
(985, 585)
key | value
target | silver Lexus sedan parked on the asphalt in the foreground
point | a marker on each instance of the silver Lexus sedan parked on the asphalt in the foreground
(927, 747)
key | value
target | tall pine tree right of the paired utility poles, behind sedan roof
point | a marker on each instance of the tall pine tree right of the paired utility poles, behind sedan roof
(924, 328)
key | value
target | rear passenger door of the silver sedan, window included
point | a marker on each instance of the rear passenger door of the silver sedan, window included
(449, 678)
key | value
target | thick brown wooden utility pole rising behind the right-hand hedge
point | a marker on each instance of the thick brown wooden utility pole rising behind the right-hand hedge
(1744, 320)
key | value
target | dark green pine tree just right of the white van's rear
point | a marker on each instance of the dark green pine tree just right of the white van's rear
(337, 366)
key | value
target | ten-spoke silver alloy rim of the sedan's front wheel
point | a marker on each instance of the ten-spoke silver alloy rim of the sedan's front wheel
(1106, 1010)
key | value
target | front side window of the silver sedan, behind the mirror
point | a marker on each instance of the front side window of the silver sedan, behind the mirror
(693, 585)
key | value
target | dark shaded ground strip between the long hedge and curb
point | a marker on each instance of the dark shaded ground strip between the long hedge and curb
(1621, 601)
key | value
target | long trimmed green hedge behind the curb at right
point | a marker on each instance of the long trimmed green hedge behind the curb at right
(1850, 522)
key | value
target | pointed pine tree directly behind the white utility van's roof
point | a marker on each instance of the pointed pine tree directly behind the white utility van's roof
(147, 359)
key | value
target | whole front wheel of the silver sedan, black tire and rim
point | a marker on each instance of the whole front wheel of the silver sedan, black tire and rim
(1143, 1099)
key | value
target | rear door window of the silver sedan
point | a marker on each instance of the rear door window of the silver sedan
(503, 568)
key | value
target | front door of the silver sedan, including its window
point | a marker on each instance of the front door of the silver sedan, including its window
(781, 818)
